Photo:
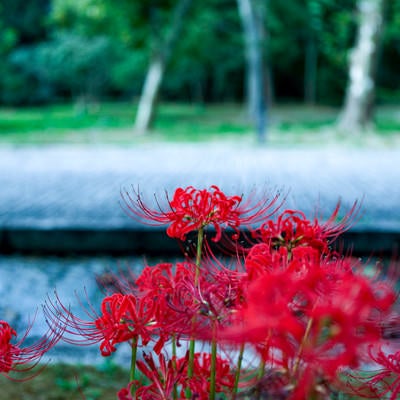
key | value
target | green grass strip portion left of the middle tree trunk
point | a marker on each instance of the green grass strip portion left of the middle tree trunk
(113, 123)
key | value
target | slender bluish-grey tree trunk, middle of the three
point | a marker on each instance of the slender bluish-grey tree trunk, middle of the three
(255, 70)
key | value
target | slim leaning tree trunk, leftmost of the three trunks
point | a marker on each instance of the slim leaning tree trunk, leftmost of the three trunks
(155, 73)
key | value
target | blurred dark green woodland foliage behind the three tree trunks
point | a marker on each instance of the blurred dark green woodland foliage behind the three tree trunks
(95, 50)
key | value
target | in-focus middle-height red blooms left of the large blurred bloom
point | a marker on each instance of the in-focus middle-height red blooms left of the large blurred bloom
(163, 301)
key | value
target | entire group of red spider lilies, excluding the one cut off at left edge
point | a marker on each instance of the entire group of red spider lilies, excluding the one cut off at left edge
(307, 313)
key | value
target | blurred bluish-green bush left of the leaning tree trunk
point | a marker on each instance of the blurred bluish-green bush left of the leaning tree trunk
(68, 65)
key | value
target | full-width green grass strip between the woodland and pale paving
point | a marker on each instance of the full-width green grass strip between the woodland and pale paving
(112, 123)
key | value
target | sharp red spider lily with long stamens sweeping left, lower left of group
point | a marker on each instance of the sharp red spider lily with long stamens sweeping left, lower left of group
(122, 318)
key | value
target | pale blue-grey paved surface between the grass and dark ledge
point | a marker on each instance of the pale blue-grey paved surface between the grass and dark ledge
(78, 188)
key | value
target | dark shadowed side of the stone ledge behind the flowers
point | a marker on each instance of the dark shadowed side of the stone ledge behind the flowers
(155, 241)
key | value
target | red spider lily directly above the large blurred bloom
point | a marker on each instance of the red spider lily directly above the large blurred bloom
(293, 229)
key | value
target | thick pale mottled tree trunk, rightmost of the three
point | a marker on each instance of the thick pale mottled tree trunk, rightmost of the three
(358, 107)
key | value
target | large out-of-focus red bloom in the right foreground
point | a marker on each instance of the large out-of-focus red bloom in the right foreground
(318, 315)
